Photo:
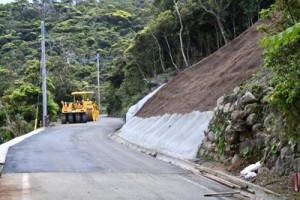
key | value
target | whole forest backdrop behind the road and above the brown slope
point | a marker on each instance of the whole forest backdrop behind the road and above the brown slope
(143, 39)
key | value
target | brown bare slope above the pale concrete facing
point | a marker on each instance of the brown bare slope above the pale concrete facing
(198, 87)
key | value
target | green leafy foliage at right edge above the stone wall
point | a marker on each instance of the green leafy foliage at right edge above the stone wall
(282, 53)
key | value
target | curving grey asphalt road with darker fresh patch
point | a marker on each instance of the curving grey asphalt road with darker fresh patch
(80, 161)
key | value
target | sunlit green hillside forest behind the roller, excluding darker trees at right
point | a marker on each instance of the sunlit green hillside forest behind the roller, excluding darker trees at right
(75, 32)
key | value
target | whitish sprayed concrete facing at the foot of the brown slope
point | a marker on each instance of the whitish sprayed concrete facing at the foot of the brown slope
(176, 135)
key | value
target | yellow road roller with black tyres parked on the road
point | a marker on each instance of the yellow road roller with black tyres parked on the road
(82, 109)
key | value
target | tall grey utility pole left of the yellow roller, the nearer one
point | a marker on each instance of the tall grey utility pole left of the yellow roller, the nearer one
(43, 65)
